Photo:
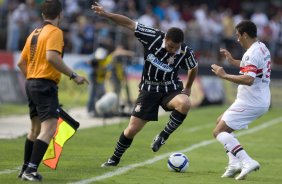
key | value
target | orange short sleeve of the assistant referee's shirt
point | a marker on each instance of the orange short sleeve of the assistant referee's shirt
(55, 41)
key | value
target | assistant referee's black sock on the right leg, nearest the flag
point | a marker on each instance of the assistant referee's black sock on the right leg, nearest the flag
(39, 149)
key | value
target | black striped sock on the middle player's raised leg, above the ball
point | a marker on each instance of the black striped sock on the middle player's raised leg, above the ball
(175, 120)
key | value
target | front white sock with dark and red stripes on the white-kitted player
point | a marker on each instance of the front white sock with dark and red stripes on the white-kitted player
(232, 145)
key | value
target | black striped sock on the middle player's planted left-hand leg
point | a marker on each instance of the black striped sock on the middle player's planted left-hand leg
(122, 145)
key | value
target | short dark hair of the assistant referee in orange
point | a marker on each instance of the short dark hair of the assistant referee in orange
(51, 9)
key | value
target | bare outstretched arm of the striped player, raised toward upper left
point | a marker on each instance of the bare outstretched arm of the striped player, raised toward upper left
(117, 18)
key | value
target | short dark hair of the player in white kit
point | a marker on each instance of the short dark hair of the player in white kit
(247, 26)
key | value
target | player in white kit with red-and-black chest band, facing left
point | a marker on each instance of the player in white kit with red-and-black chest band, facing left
(253, 98)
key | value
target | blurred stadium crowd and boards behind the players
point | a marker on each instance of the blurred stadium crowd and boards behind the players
(208, 25)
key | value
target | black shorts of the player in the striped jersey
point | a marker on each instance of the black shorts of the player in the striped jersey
(147, 104)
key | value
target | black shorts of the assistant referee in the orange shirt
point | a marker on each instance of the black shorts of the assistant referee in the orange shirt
(42, 97)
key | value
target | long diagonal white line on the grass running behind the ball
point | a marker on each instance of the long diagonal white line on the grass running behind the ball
(124, 169)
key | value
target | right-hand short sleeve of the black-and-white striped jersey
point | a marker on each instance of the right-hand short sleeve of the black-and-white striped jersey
(190, 61)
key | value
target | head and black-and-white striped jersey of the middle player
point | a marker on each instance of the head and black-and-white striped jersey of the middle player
(161, 62)
